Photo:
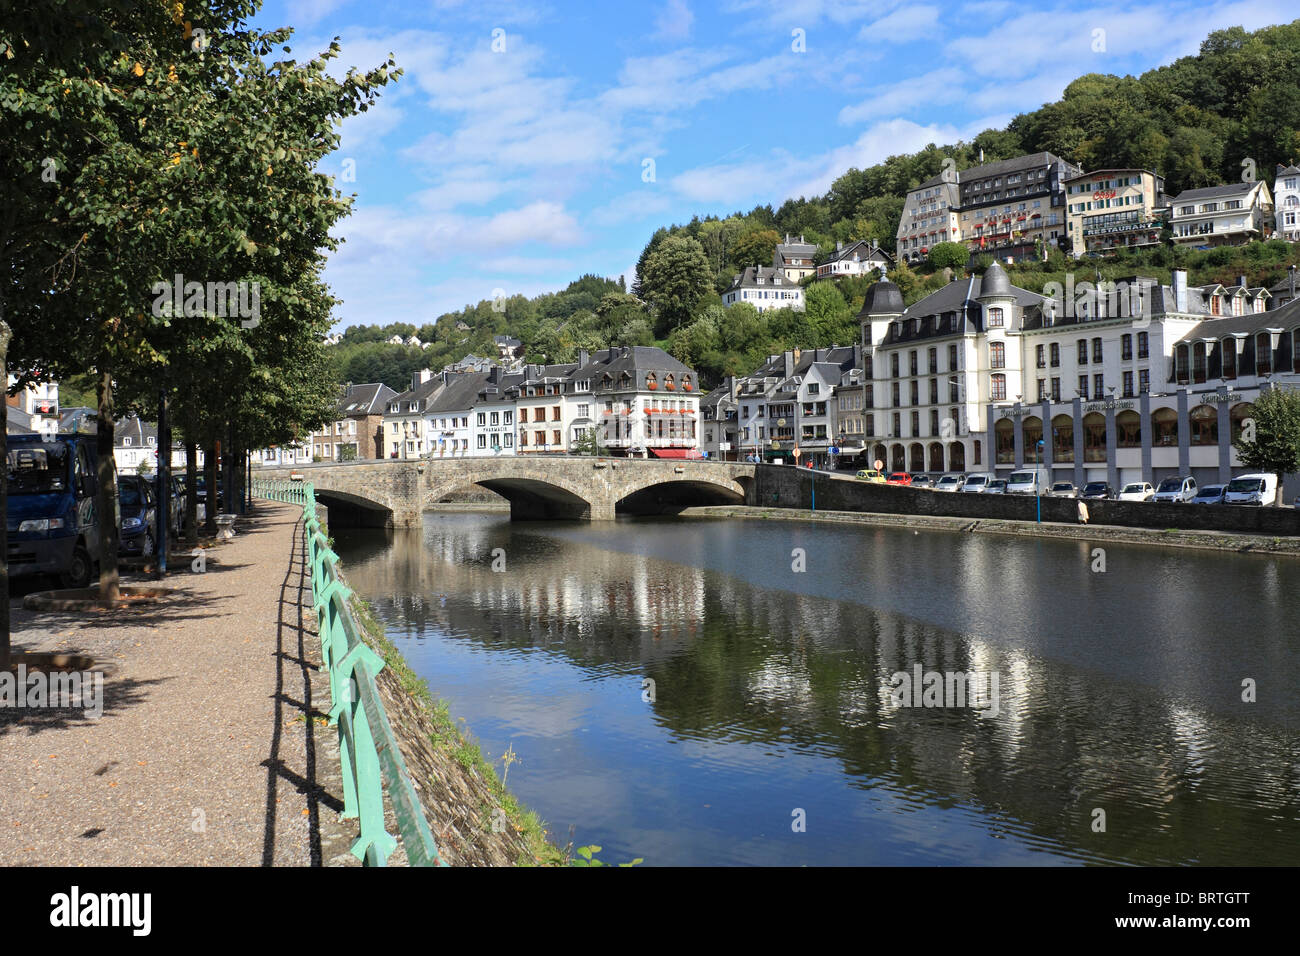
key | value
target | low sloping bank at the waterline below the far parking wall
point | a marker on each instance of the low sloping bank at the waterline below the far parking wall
(1171, 538)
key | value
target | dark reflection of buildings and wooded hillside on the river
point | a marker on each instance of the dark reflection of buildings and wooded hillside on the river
(1087, 715)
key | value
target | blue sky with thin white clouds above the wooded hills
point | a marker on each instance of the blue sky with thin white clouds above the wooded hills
(526, 167)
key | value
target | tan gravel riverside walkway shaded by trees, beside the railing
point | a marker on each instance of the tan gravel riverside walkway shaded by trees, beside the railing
(211, 749)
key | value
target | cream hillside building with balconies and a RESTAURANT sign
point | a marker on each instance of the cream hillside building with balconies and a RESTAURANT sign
(1115, 209)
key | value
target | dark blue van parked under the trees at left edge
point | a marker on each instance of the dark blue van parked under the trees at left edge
(53, 524)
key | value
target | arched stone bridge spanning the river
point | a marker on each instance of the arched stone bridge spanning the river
(395, 494)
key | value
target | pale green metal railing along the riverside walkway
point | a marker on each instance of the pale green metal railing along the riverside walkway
(367, 746)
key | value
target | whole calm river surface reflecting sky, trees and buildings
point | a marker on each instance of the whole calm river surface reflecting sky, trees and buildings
(679, 694)
